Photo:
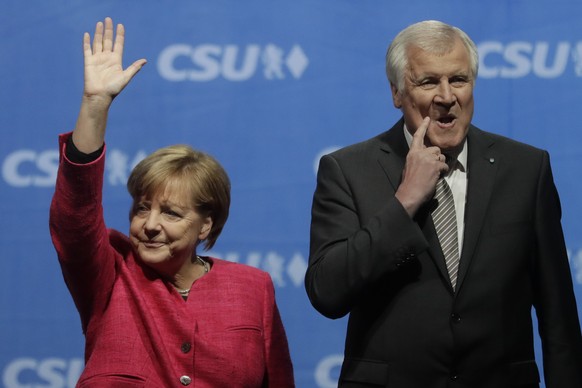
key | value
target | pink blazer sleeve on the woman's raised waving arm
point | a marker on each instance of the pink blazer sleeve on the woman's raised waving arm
(79, 234)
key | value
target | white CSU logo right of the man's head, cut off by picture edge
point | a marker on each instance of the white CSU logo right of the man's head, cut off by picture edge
(520, 59)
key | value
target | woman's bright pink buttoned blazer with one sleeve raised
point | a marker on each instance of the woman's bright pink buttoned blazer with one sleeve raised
(139, 331)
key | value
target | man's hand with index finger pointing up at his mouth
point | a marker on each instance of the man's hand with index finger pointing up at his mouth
(423, 167)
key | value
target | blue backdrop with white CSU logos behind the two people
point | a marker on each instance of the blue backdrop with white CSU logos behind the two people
(267, 87)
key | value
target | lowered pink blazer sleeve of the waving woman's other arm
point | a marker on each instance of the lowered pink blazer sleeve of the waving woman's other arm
(279, 367)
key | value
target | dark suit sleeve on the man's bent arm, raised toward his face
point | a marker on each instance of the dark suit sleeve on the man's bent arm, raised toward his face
(350, 252)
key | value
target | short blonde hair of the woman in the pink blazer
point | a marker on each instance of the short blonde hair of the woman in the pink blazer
(198, 173)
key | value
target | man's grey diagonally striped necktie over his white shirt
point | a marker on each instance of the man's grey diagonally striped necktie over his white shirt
(445, 222)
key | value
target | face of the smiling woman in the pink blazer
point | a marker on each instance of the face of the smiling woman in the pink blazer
(165, 229)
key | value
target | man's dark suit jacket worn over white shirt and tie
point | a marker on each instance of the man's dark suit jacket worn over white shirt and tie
(407, 328)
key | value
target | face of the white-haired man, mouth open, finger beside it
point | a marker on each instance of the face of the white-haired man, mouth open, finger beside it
(440, 87)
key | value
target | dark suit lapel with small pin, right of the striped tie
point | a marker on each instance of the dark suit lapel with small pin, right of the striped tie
(482, 166)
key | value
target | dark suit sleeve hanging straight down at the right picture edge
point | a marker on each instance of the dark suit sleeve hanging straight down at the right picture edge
(555, 302)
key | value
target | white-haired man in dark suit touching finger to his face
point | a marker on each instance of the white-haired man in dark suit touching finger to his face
(429, 309)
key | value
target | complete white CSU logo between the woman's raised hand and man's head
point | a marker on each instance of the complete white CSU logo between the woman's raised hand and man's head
(207, 62)
